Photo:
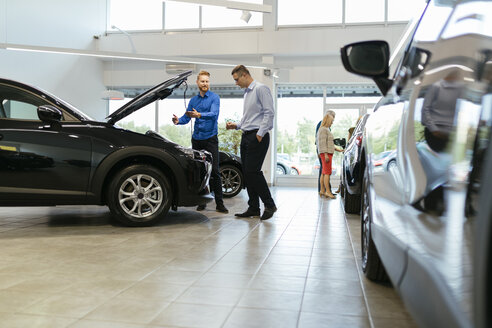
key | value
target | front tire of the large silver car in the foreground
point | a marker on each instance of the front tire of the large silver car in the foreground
(372, 266)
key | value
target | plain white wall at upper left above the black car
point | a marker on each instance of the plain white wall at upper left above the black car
(55, 23)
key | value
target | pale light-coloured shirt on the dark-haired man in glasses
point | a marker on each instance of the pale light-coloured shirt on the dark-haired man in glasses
(258, 110)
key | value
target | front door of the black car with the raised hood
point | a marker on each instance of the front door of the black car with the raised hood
(40, 163)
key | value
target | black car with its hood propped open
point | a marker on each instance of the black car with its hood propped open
(53, 154)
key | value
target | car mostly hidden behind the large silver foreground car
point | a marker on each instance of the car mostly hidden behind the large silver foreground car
(351, 176)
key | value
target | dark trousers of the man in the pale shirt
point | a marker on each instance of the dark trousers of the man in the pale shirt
(252, 156)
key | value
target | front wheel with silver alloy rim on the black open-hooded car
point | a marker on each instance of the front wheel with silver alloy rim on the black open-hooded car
(139, 195)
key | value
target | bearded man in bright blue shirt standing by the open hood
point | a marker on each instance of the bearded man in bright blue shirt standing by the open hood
(204, 108)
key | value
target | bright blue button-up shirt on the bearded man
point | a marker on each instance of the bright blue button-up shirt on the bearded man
(208, 106)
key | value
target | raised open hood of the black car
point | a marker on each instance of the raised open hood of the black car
(160, 91)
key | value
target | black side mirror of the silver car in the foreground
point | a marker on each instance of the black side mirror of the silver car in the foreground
(369, 59)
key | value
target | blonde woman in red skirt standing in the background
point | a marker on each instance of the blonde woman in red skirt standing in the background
(326, 148)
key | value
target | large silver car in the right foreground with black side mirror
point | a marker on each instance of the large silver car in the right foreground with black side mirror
(418, 218)
